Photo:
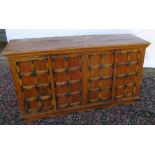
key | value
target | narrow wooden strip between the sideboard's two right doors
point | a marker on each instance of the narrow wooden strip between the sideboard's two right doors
(114, 75)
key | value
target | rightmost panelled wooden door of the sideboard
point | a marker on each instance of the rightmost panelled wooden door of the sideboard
(128, 73)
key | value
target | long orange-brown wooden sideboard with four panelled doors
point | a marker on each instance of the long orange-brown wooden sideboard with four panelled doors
(59, 75)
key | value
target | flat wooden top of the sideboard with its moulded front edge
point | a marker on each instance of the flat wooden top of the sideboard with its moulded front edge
(19, 46)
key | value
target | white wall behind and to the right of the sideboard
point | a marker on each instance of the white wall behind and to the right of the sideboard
(149, 35)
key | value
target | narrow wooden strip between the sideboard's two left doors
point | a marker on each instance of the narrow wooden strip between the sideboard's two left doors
(51, 67)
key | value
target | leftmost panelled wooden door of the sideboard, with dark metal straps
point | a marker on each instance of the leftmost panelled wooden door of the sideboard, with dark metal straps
(33, 77)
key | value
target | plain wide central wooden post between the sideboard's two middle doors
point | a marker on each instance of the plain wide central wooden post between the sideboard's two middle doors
(85, 77)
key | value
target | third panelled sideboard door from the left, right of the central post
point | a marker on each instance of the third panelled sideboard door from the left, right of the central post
(100, 76)
